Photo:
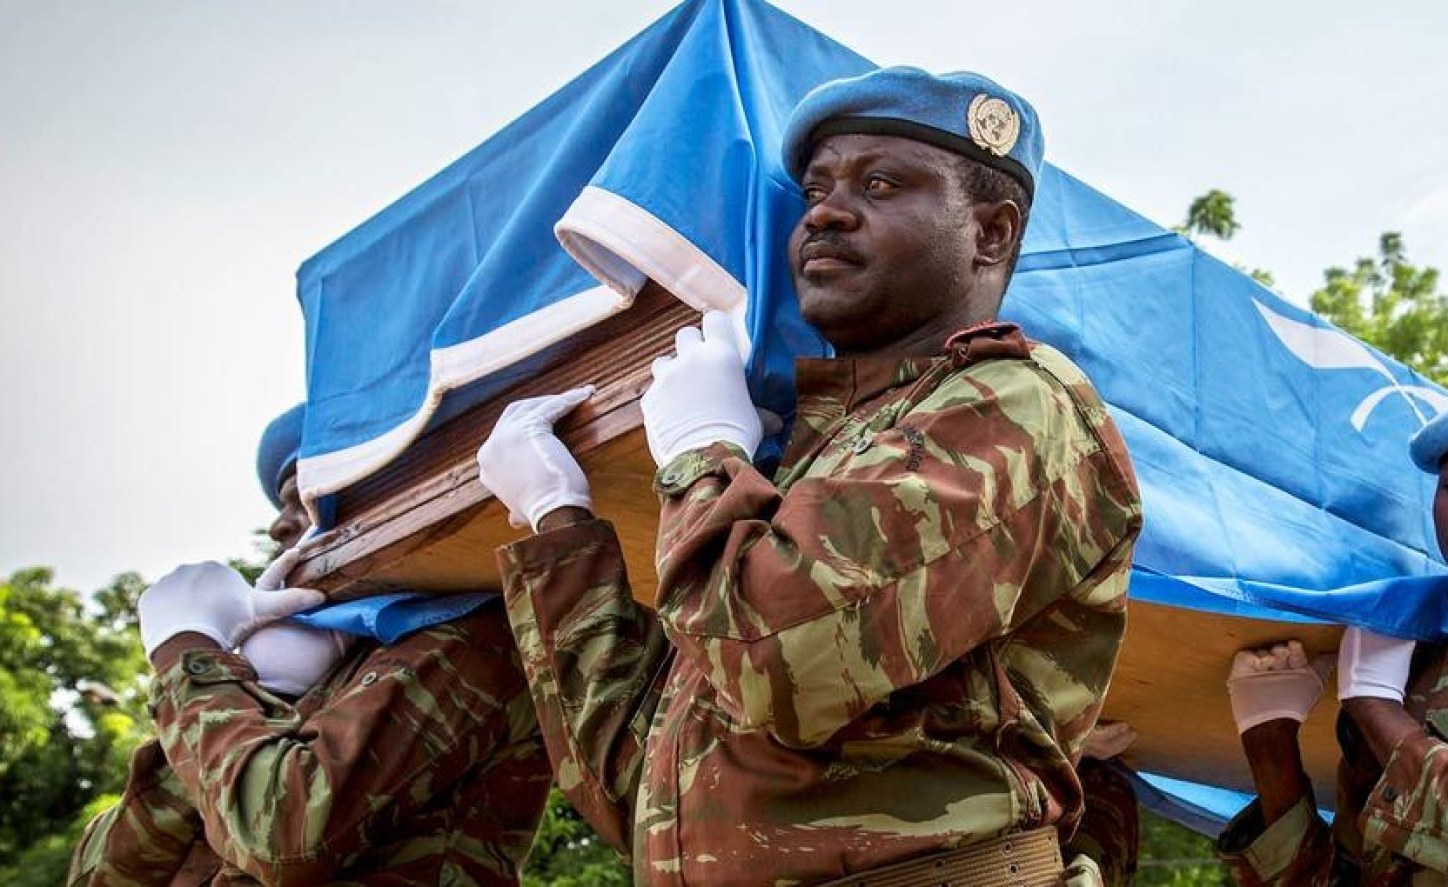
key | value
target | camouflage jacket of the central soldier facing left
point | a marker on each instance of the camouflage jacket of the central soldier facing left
(894, 649)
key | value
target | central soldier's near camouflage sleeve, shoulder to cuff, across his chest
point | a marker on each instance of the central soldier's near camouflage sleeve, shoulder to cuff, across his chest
(985, 504)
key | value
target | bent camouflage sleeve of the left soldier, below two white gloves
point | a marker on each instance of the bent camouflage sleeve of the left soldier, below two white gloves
(290, 799)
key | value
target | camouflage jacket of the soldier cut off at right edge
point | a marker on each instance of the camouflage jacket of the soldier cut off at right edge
(1392, 823)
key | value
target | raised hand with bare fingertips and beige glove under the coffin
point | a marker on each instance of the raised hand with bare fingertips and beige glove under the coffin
(1274, 684)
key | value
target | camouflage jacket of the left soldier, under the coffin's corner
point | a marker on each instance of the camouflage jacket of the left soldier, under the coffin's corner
(418, 763)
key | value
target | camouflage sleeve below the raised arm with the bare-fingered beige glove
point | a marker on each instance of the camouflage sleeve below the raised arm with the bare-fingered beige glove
(1297, 850)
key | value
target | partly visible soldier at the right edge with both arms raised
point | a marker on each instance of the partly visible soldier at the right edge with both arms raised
(1392, 823)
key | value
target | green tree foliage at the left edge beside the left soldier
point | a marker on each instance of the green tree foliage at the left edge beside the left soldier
(72, 707)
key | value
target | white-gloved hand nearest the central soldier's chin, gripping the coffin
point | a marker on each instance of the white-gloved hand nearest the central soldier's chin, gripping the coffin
(699, 397)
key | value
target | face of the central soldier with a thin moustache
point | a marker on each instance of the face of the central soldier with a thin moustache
(887, 242)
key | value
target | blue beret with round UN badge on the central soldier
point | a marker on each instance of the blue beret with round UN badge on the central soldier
(967, 114)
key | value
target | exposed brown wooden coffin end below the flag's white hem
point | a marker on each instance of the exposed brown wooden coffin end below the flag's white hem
(426, 523)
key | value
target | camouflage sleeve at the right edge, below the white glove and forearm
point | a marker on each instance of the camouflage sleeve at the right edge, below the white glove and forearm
(1408, 811)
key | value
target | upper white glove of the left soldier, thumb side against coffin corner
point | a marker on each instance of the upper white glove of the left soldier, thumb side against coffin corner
(214, 600)
